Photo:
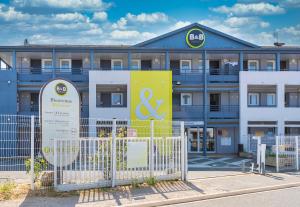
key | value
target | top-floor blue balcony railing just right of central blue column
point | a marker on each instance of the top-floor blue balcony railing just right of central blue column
(217, 75)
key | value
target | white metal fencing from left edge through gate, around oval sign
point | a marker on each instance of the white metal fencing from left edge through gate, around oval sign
(104, 157)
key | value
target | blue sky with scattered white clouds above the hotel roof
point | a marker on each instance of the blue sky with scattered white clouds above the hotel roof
(132, 21)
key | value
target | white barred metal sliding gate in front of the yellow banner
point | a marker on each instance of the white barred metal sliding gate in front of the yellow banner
(106, 161)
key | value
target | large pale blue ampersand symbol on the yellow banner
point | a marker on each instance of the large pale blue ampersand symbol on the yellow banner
(145, 101)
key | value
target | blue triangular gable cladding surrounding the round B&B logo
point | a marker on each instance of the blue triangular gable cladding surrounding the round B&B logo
(212, 41)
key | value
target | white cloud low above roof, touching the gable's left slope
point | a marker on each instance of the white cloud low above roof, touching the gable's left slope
(131, 34)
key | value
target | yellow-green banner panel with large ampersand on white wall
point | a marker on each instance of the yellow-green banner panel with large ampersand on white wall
(151, 99)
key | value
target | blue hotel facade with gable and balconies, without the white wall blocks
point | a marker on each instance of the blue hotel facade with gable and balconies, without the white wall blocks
(212, 86)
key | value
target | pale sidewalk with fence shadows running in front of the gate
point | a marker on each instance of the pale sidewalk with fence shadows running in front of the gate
(203, 185)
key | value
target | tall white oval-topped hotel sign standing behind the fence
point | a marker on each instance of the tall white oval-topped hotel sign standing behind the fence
(60, 120)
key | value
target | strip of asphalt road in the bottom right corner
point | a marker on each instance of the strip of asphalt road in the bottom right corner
(278, 198)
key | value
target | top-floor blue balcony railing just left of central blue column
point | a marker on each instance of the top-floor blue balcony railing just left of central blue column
(188, 76)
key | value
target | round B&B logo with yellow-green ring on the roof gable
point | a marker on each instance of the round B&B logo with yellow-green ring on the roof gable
(195, 38)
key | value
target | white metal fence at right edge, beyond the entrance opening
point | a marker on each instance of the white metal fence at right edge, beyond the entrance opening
(282, 152)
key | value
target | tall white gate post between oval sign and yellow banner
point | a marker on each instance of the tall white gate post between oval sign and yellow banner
(113, 154)
